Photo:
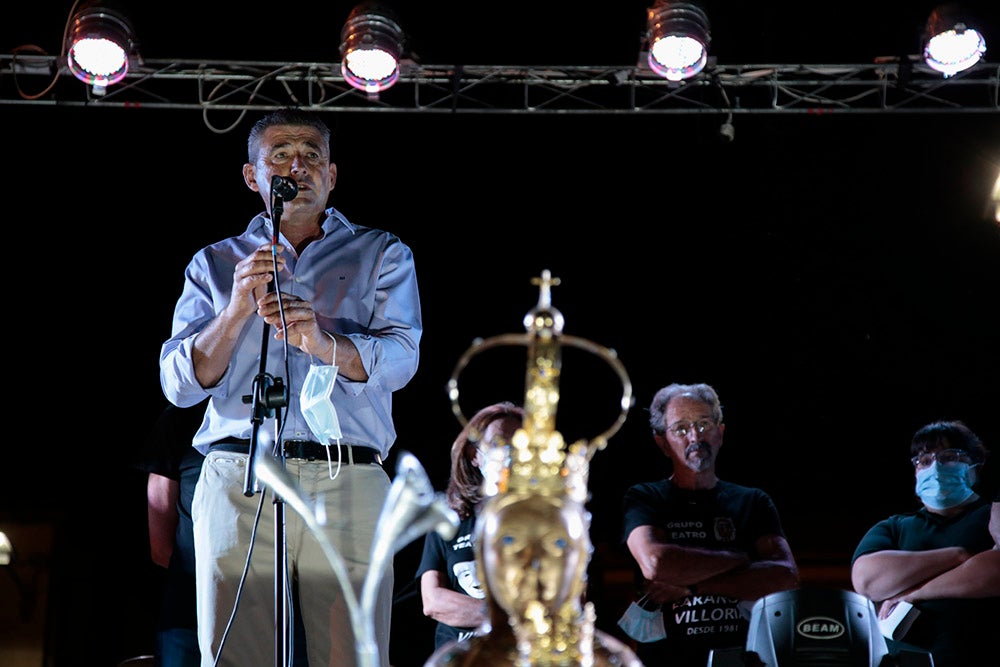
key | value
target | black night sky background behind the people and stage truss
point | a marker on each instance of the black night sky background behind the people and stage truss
(835, 277)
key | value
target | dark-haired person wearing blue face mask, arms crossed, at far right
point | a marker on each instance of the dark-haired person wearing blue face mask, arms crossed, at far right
(942, 558)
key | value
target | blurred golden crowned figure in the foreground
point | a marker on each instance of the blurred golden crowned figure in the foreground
(532, 533)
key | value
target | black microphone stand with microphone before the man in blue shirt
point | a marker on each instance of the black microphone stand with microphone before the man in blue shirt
(267, 394)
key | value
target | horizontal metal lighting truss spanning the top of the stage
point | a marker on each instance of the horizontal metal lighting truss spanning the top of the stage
(897, 86)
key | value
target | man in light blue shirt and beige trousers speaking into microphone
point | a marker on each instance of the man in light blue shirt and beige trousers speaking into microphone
(327, 314)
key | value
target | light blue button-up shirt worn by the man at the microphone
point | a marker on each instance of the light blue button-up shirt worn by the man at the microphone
(362, 284)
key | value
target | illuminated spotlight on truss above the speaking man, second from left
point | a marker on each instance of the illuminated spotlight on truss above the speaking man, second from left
(370, 48)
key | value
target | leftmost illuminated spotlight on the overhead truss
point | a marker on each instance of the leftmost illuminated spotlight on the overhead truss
(98, 44)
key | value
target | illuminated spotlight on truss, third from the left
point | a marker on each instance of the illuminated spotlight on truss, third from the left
(678, 38)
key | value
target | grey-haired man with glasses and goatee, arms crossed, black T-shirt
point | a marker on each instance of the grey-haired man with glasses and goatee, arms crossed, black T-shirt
(706, 548)
